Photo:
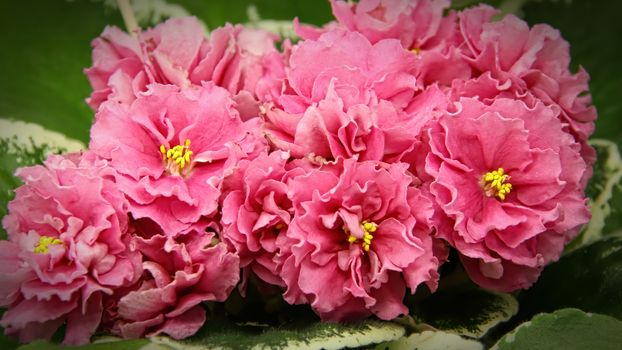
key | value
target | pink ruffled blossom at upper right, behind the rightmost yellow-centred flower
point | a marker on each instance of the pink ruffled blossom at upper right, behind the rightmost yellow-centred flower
(532, 64)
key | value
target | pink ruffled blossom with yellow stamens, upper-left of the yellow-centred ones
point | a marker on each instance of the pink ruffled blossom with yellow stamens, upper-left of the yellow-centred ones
(171, 148)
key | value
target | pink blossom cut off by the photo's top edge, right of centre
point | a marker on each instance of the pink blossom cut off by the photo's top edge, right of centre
(419, 25)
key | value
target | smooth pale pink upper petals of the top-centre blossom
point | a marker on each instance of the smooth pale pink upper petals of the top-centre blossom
(361, 72)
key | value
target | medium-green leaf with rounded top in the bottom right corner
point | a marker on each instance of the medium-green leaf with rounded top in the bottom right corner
(566, 329)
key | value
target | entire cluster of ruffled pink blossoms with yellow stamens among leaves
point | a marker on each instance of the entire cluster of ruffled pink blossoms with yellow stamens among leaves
(341, 169)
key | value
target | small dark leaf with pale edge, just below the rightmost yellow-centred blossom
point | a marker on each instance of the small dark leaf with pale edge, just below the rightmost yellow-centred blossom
(468, 312)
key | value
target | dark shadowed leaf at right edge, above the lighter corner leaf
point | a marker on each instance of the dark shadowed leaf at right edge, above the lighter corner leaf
(589, 278)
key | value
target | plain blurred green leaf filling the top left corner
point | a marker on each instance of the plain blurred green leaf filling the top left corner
(45, 47)
